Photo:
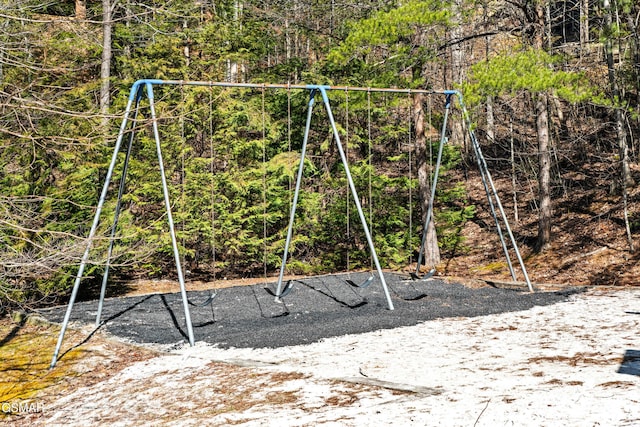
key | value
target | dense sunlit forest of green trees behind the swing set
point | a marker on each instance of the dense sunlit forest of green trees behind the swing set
(552, 87)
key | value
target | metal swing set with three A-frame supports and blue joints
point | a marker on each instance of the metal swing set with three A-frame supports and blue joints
(142, 88)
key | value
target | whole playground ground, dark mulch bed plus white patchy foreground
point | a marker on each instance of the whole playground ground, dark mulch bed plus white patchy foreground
(447, 355)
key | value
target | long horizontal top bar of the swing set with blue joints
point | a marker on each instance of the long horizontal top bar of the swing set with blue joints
(135, 89)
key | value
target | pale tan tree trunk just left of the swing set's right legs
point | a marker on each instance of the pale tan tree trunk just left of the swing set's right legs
(432, 251)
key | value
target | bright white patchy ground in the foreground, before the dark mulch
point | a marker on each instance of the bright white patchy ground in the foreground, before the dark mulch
(567, 364)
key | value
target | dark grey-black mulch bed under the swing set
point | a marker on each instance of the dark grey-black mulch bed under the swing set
(316, 308)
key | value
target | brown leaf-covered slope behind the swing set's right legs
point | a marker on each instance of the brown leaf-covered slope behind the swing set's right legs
(589, 245)
